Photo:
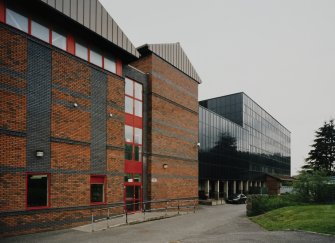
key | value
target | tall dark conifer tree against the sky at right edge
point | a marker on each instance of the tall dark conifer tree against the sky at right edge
(322, 155)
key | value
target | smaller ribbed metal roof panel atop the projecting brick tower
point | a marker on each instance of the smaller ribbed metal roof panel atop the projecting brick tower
(173, 54)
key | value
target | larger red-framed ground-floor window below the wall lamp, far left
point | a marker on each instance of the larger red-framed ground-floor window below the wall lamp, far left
(37, 190)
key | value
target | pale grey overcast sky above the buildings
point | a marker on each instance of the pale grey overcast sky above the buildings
(279, 52)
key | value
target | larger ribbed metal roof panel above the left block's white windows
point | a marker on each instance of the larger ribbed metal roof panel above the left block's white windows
(93, 15)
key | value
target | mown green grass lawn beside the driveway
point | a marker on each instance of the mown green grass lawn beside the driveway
(316, 218)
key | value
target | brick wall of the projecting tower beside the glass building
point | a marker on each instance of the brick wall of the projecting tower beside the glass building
(173, 126)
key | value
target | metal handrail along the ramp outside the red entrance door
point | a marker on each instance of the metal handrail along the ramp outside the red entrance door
(125, 212)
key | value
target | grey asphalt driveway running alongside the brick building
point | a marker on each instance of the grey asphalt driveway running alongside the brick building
(224, 223)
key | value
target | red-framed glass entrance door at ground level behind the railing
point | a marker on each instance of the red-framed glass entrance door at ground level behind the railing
(133, 197)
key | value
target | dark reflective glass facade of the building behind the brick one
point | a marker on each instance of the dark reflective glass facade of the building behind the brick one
(240, 140)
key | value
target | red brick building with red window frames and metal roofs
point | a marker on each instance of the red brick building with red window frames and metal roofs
(86, 119)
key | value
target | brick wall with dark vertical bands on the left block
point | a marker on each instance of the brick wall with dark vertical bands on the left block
(70, 138)
